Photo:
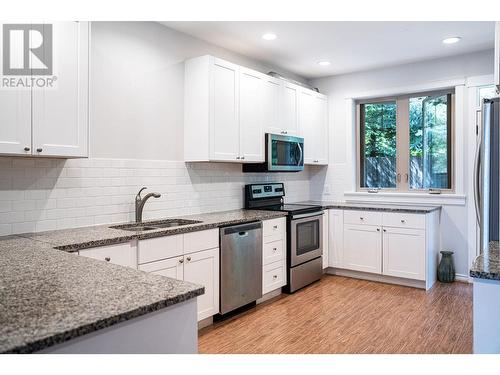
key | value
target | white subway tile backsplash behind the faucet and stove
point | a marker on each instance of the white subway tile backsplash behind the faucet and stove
(46, 194)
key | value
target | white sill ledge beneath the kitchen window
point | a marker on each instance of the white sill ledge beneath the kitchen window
(406, 198)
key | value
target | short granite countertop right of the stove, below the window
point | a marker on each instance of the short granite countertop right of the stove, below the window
(373, 207)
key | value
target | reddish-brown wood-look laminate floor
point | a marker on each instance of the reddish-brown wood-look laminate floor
(343, 315)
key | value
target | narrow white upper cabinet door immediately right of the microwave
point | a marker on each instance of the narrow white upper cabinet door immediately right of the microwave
(307, 124)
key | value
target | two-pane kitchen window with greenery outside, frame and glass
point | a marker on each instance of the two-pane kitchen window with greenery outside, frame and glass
(405, 142)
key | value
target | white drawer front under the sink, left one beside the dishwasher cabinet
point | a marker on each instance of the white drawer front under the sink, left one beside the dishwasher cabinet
(160, 248)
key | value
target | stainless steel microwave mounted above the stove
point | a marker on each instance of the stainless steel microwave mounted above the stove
(284, 153)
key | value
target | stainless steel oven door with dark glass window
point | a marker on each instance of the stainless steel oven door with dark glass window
(306, 237)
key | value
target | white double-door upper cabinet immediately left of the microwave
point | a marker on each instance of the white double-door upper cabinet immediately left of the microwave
(223, 112)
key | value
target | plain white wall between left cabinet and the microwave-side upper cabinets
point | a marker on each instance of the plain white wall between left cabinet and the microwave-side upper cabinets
(137, 88)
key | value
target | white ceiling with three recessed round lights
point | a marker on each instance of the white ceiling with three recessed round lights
(350, 46)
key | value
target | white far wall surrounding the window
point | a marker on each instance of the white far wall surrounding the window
(333, 182)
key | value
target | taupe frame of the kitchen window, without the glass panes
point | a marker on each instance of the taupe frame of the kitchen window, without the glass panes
(403, 141)
